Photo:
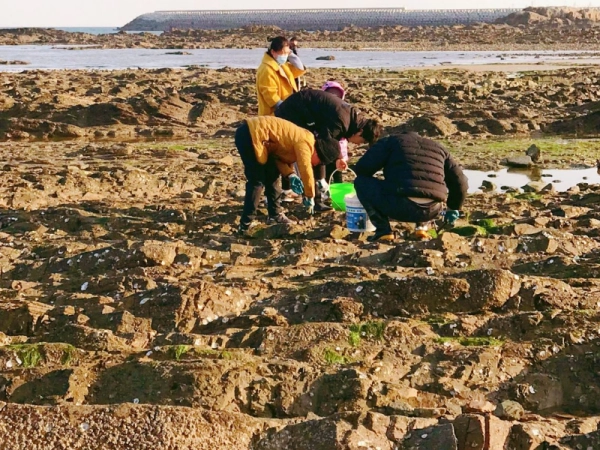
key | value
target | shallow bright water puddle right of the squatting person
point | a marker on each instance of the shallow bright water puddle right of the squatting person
(562, 179)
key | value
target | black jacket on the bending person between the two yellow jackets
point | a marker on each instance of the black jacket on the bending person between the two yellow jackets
(322, 113)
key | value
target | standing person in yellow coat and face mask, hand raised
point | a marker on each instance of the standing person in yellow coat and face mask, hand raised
(275, 77)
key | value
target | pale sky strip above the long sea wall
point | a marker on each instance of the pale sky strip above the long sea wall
(89, 13)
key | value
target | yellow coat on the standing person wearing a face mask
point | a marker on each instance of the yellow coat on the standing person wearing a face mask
(274, 83)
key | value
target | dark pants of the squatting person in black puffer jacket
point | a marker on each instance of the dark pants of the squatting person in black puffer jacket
(381, 204)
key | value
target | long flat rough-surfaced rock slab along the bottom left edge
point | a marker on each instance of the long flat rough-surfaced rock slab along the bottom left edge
(86, 426)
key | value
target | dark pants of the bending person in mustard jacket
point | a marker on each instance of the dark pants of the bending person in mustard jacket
(259, 177)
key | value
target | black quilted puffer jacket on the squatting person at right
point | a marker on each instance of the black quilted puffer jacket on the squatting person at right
(415, 166)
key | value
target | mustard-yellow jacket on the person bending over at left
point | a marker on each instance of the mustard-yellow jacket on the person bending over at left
(292, 144)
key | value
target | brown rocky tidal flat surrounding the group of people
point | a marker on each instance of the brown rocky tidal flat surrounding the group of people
(131, 316)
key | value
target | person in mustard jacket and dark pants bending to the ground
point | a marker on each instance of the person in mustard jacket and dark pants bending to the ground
(269, 147)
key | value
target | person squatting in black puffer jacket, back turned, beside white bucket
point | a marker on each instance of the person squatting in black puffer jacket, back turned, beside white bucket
(420, 176)
